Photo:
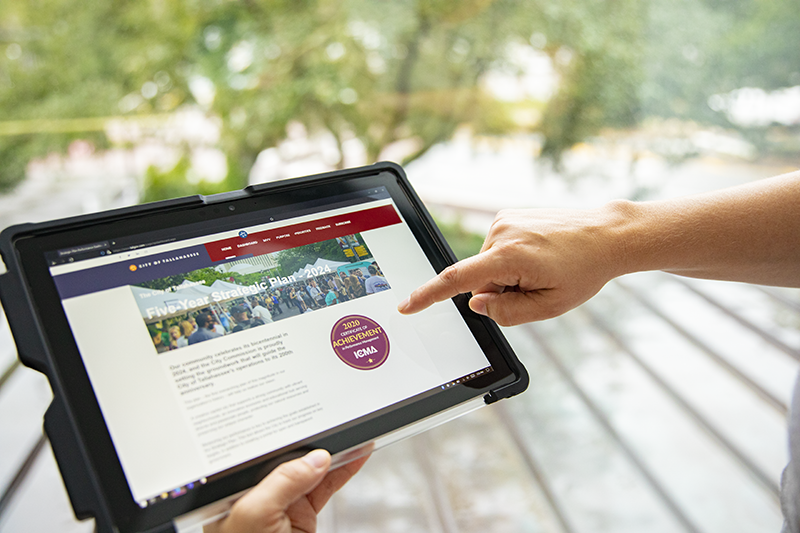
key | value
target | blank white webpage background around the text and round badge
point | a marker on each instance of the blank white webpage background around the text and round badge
(156, 445)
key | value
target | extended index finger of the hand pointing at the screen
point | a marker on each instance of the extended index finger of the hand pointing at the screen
(468, 275)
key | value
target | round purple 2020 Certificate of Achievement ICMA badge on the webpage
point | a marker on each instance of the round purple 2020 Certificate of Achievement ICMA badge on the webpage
(360, 342)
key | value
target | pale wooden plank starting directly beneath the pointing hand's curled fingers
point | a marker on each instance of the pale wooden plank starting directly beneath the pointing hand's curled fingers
(713, 489)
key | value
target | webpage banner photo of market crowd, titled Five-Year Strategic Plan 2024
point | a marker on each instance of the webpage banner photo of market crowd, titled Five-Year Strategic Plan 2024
(214, 302)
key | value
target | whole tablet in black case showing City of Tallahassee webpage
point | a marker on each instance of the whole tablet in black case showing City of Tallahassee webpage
(194, 344)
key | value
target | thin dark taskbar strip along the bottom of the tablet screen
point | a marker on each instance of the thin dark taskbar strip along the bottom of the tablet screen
(177, 492)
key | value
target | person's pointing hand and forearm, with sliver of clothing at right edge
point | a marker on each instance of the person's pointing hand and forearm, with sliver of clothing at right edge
(538, 264)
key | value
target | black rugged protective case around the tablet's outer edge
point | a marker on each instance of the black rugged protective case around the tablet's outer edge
(76, 467)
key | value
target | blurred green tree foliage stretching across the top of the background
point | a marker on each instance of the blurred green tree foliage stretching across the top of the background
(376, 71)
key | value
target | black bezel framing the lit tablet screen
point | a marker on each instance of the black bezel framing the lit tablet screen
(68, 370)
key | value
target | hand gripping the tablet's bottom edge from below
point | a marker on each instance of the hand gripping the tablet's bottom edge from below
(289, 498)
